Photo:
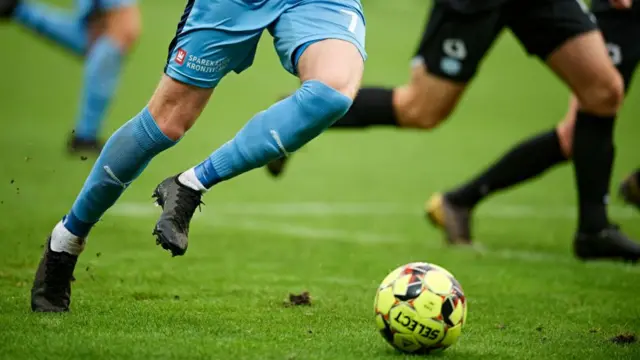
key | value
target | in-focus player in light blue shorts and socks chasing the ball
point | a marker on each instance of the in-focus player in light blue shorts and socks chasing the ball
(322, 42)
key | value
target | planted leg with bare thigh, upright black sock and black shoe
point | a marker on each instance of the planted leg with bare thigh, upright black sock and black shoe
(599, 89)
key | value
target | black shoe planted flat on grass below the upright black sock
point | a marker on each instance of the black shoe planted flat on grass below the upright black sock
(609, 243)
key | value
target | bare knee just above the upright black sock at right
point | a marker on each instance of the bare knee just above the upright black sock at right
(605, 97)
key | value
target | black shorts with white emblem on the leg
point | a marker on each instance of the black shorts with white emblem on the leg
(454, 43)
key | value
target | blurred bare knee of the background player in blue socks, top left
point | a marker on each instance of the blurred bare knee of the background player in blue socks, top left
(124, 27)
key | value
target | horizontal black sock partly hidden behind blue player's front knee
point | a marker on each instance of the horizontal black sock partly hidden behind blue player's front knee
(372, 106)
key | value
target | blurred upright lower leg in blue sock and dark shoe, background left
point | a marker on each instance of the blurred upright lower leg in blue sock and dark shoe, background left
(118, 32)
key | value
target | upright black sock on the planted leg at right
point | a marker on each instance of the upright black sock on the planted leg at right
(593, 153)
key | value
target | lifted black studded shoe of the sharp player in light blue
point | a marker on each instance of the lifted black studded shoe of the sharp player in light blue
(178, 203)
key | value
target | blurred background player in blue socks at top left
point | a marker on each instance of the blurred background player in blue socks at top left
(102, 32)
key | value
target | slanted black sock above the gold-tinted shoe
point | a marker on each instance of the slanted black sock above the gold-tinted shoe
(525, 161)
